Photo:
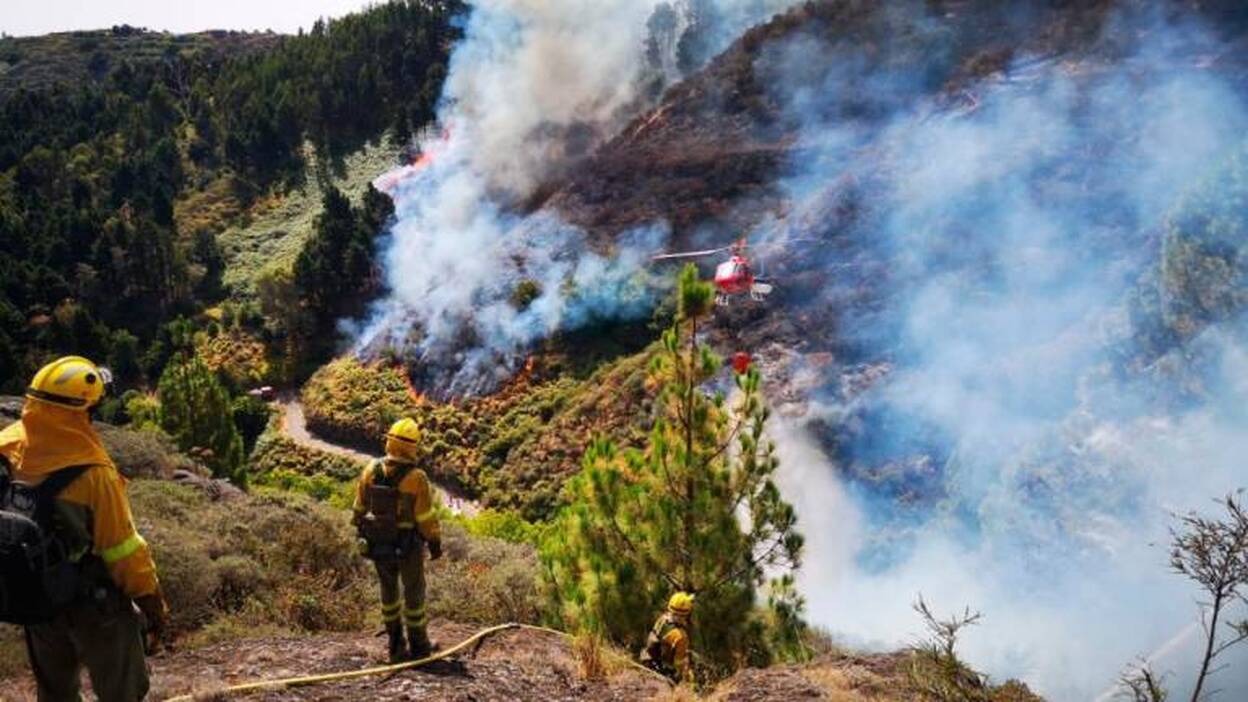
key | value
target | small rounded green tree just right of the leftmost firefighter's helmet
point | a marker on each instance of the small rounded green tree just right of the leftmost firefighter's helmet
(197, 412)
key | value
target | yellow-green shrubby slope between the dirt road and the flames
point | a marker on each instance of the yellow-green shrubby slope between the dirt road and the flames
(514, 449)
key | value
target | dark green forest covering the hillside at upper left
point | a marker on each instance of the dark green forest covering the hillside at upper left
(104, 174)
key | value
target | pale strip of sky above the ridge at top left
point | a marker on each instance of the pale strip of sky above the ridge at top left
(22, 18)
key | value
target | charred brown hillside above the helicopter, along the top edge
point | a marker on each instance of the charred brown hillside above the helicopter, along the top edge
(712, 152)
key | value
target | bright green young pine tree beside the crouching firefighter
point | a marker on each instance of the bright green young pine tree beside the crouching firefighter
(695, 510)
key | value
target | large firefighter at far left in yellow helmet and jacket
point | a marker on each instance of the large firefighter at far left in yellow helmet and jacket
(95, 625)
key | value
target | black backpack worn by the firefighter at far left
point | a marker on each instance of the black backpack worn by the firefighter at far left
(38, 575)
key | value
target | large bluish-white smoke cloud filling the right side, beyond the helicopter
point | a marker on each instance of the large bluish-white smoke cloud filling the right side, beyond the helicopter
(1018, 228)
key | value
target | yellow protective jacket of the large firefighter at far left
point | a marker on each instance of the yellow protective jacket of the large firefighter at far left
(51, 438)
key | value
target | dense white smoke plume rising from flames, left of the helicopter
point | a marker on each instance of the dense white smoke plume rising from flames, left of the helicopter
(534, 87)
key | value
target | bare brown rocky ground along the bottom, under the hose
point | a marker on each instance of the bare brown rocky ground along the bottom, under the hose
(511, 666)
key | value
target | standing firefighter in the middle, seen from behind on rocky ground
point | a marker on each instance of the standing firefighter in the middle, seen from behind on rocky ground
(396, 520)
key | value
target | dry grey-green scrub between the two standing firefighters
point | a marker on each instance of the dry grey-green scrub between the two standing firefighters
(275, 558)
